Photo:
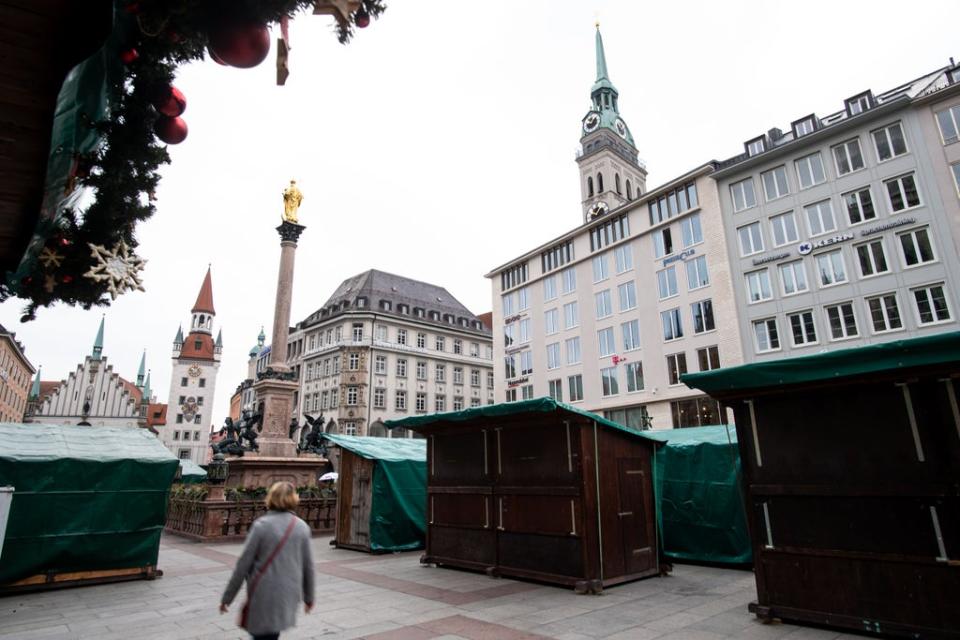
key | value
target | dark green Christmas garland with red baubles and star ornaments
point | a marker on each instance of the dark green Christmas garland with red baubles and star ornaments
(85, 257)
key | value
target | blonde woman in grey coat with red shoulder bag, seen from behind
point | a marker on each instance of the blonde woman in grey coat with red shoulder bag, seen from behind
(277, 564)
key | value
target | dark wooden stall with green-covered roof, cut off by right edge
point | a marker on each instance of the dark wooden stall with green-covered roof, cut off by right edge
(851, 468)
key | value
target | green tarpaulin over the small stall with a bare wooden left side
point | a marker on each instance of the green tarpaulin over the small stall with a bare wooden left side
(398, 504)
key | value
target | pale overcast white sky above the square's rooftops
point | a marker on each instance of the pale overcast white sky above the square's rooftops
(440, 144)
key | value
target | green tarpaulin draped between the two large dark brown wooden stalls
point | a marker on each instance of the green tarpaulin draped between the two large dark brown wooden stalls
(699, 507)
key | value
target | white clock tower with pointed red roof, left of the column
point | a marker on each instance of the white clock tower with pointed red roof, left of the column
(193, 381)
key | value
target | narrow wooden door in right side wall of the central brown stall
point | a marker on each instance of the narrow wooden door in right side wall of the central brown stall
(636, 530)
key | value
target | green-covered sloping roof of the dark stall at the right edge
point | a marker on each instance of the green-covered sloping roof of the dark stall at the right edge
(928, 351)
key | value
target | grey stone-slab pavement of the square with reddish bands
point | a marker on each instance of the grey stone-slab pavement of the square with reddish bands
(392, 597)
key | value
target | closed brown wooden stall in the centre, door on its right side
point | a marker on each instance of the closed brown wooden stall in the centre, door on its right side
(541, 490)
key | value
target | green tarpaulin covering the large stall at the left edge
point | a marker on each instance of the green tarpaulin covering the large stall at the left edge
(87, 498)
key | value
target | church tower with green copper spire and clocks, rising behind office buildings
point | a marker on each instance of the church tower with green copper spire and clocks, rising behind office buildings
(610, 173)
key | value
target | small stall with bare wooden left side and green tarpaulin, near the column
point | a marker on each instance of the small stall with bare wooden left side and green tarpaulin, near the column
(381, 493)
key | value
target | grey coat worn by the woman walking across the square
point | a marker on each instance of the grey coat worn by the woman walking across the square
(288, 579)
